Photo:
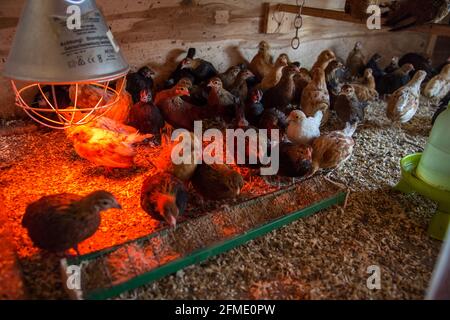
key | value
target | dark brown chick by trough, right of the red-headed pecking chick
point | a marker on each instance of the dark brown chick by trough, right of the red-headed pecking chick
(217, 181)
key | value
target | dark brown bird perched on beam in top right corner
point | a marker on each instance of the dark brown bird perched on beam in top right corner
(406, 14)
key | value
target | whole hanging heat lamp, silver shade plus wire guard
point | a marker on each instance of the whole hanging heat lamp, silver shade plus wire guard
(63, 46)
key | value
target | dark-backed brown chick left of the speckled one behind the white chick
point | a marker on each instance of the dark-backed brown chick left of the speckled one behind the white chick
(282, 95)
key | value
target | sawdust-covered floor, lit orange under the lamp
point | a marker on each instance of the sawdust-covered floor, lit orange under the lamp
(320, 257)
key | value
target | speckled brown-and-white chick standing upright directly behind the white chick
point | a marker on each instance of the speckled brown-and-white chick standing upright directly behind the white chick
(315, 96)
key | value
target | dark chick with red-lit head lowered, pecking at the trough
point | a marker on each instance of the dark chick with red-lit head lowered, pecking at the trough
(164, 197)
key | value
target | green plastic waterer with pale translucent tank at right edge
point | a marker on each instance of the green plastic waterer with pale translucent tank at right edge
(429, 174)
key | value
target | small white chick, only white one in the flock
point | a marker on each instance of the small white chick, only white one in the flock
(303, 130)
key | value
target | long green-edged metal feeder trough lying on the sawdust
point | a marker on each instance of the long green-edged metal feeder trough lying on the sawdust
(108, 273)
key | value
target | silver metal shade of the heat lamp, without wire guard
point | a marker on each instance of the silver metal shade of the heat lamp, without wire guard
(46, 50)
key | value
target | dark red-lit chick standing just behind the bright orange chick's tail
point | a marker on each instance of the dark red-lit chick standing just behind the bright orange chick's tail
(145, 116)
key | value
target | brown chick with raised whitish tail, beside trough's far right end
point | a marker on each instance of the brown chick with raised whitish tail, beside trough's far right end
(332, 149)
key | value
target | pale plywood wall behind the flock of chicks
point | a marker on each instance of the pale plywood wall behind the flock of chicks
(157, 33)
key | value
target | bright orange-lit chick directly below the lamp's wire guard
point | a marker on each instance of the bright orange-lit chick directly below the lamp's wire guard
(106, 143)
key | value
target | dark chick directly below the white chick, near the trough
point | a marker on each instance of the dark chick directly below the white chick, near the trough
(295, 160)
